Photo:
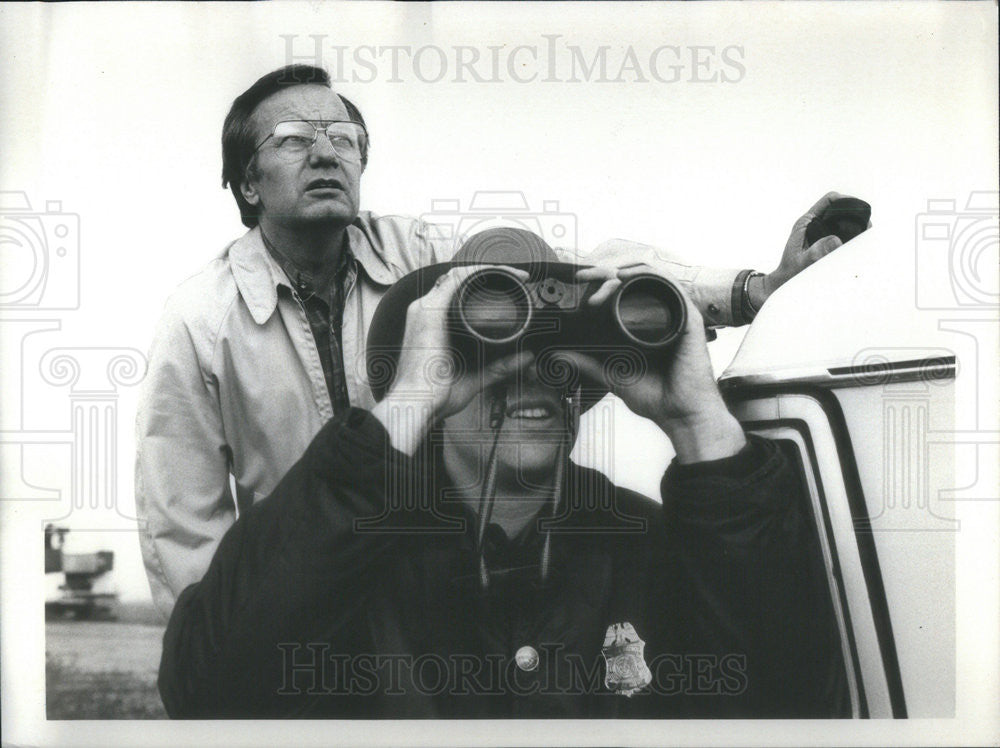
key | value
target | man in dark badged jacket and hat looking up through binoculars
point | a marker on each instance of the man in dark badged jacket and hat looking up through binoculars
(476, 572)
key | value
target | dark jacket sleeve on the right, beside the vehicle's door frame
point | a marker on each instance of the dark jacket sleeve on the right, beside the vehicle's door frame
(753, 585)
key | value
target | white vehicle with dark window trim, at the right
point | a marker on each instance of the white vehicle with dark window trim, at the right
(857, 383)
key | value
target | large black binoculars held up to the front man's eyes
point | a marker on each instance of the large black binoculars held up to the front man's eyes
(497, 310)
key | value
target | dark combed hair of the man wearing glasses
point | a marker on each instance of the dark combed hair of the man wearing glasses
(237, 131)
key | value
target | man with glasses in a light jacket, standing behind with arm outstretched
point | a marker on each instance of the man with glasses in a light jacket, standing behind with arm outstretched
(258, 351)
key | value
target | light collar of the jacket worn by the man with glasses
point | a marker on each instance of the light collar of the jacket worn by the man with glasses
(258, 276)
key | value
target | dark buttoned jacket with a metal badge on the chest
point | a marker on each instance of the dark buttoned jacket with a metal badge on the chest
(352, 591)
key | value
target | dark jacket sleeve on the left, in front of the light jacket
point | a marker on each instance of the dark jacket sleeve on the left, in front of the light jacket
(287, 570)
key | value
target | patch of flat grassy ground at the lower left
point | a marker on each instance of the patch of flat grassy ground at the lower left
(102, 670)
